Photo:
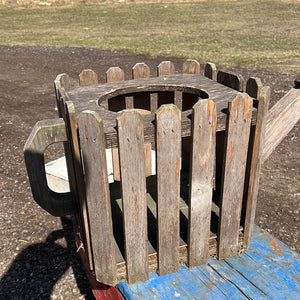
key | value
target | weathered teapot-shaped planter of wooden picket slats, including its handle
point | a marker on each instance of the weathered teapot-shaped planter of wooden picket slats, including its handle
(186, 153)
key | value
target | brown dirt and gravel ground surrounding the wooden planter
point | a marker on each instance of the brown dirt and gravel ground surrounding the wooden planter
(38, 258)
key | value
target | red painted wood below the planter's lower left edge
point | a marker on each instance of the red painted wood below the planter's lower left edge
(101, 291)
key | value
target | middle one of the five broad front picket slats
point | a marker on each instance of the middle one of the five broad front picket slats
(168, 144)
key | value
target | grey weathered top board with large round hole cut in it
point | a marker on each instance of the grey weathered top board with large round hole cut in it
(86, 98)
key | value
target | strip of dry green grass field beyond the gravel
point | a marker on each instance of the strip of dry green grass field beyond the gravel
(256, 33)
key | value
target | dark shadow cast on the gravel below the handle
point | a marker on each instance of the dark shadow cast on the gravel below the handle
(35, 271)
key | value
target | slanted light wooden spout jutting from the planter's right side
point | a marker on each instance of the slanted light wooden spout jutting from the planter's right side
(282, 117)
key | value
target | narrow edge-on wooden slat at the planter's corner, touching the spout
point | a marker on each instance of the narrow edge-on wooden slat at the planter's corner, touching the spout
(251, 187)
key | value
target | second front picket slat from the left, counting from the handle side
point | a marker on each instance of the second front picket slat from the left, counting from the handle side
(133, 179)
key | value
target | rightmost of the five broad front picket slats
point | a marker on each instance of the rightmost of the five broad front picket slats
(236, 147)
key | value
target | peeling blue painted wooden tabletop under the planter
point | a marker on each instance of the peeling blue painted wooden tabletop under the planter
(268, 270)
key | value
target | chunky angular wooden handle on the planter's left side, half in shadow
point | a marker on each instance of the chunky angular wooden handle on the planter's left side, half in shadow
(44, 134)
